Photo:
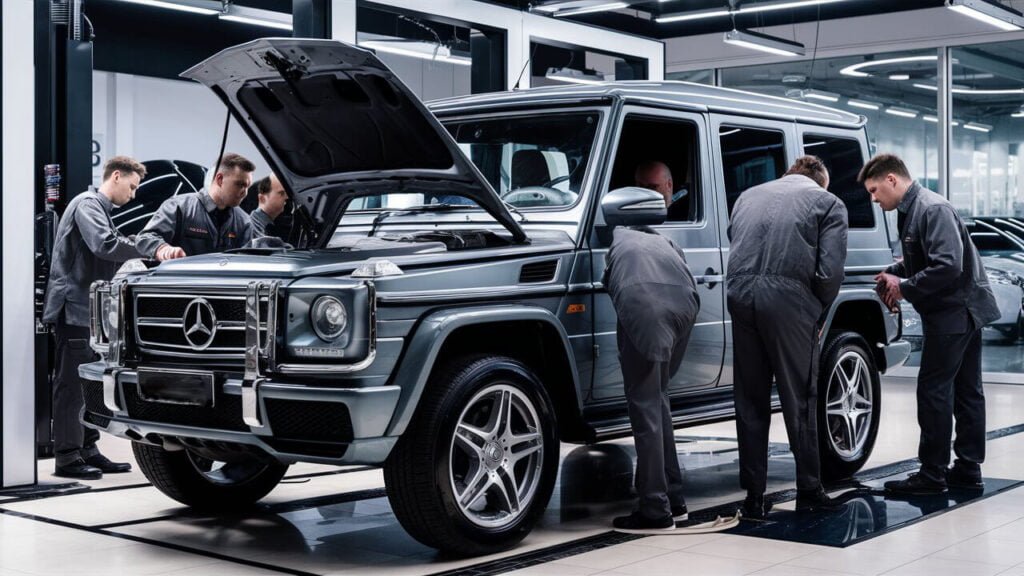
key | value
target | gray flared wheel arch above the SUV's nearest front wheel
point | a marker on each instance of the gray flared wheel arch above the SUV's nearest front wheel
(530, 335)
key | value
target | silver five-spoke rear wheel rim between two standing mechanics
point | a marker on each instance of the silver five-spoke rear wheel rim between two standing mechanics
(849, 406)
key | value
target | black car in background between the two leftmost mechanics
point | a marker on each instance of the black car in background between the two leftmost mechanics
(164, 179)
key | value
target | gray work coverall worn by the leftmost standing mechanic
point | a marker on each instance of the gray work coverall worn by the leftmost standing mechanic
(89, 248)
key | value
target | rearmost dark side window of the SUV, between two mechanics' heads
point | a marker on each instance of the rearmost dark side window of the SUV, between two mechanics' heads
(844, 160)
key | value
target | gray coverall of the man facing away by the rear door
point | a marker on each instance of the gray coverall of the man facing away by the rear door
(786, 267)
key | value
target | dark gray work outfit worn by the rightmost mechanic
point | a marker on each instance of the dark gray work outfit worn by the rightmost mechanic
(948, 285)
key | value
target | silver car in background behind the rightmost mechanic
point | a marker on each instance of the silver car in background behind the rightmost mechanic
(1003, 254)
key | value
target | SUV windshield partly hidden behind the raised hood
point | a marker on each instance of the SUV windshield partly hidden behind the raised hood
(531, 161)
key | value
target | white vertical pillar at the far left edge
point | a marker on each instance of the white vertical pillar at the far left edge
(18, 438)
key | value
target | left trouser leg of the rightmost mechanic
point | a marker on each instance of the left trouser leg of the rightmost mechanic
(941, 362)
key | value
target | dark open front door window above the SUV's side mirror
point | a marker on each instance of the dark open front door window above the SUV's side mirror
(647, 141)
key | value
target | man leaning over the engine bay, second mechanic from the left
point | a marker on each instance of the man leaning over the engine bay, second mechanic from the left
(208, 221)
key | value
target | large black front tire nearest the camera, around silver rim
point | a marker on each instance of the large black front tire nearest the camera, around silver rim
(419, 474)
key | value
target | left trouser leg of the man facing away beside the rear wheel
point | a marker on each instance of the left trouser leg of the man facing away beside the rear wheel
(752, 392)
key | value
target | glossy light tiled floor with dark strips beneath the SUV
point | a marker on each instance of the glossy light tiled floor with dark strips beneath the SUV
(331, 521)
